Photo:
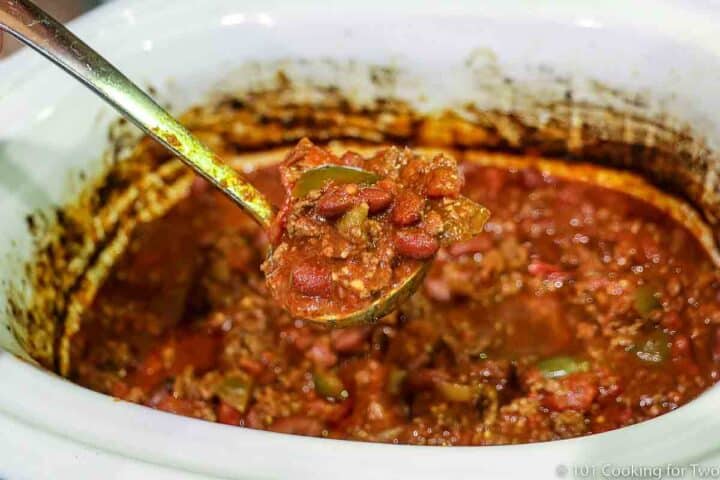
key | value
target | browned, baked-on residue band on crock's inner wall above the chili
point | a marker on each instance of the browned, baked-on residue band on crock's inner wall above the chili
(77, 247)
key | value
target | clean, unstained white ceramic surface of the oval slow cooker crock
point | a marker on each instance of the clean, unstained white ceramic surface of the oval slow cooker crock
(51, 128)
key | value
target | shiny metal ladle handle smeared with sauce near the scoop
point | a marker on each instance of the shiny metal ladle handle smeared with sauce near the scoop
(34, 27)
